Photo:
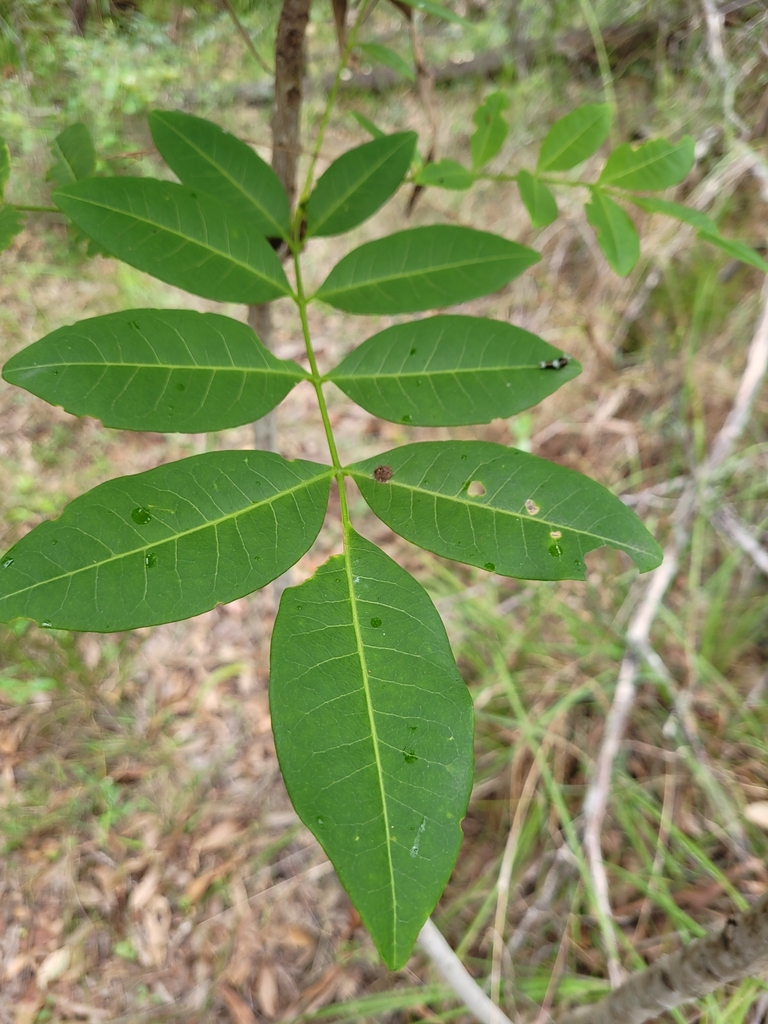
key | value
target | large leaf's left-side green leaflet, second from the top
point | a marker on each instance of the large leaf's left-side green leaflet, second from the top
(181, 236)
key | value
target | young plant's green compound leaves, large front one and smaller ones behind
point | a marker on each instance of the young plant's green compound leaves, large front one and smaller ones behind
(373, 722)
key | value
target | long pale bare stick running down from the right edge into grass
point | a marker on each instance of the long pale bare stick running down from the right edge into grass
(639, 630)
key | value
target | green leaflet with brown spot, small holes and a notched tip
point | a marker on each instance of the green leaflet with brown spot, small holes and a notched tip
(530, 519)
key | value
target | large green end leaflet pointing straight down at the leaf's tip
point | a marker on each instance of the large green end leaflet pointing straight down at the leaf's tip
(373, 729)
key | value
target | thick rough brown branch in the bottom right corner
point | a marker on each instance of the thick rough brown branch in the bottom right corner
(739, 951)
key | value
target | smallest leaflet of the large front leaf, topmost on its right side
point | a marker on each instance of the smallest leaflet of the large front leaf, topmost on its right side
(359, 183)
